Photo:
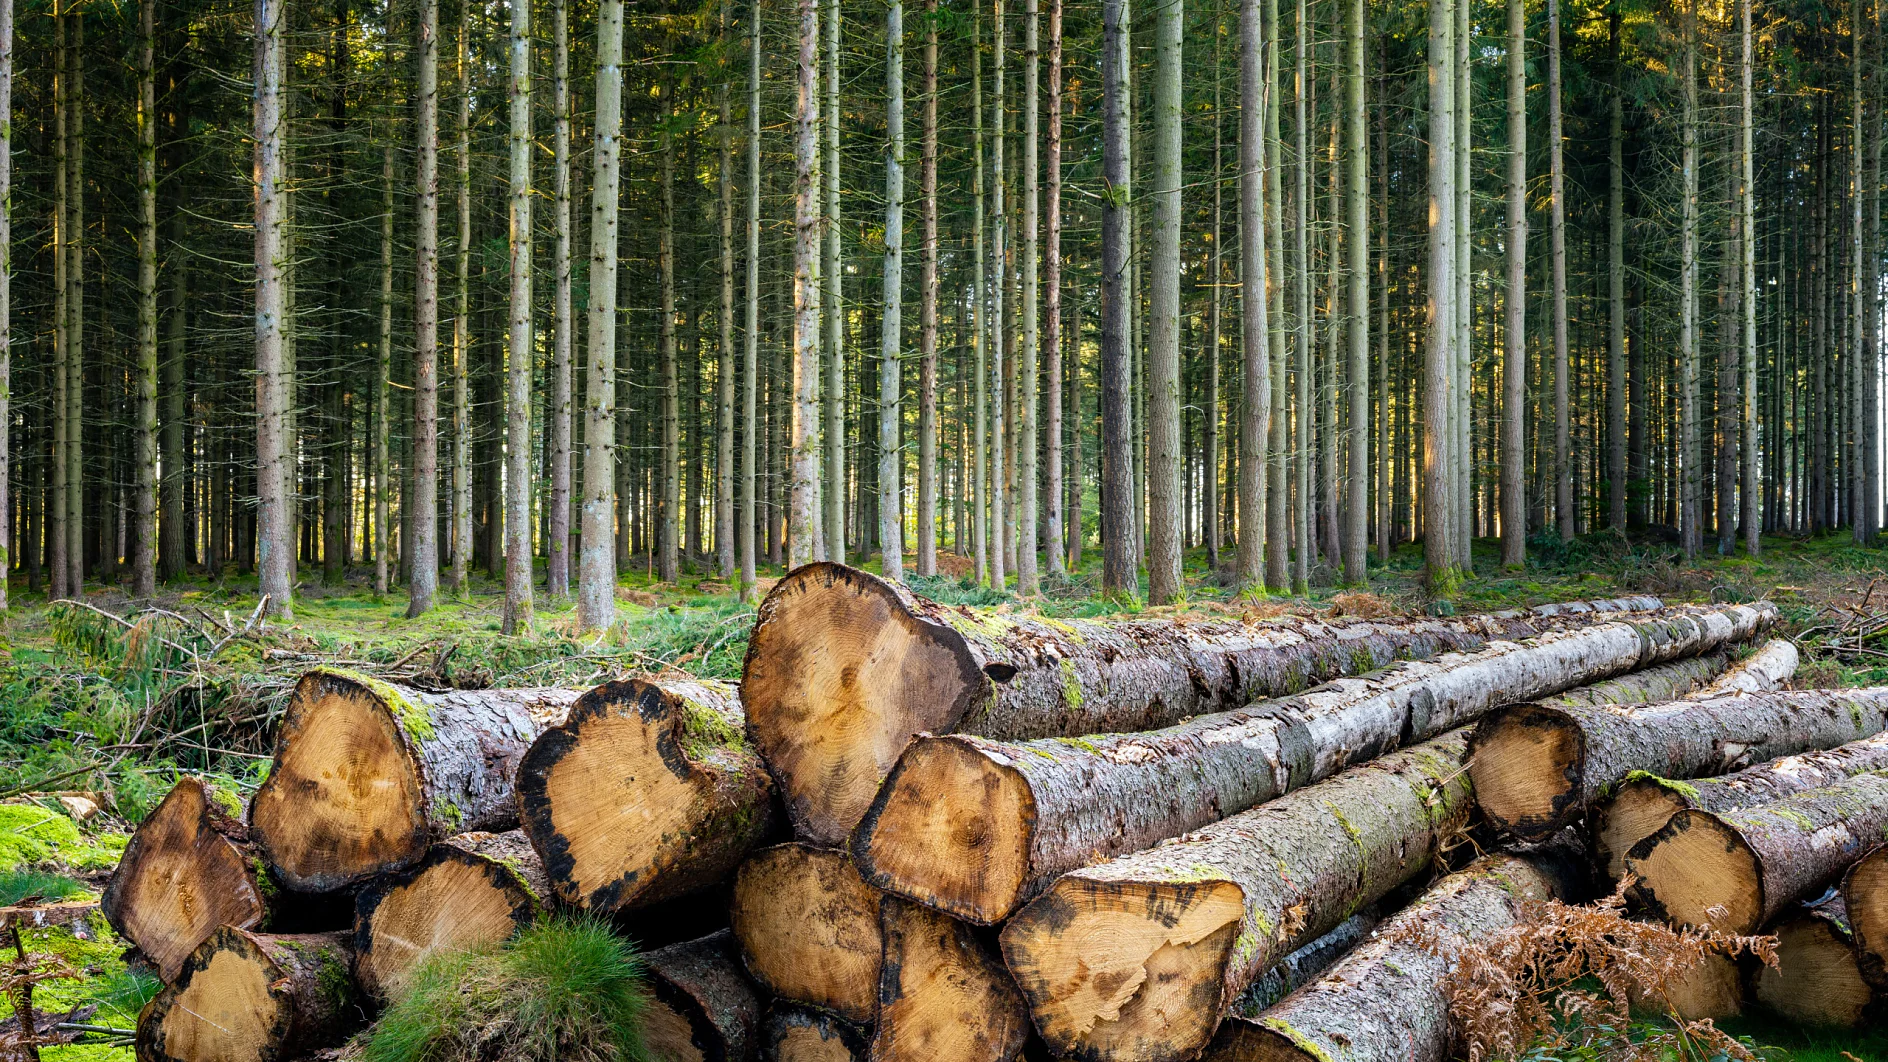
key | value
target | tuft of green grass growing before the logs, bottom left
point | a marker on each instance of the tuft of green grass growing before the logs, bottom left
(567, 991)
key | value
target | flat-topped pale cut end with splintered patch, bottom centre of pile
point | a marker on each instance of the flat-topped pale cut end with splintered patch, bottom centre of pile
(1149, 965)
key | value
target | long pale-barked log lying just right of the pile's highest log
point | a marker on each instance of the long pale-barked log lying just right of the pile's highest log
(977, 827)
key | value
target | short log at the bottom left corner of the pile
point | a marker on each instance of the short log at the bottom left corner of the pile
(254, 999)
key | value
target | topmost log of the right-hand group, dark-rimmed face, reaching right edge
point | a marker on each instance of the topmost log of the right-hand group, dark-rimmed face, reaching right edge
(1538, 768)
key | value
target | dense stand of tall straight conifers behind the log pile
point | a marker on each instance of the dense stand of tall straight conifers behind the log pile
(573, 290)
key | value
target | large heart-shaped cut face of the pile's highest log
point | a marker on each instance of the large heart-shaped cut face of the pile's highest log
(839, 676)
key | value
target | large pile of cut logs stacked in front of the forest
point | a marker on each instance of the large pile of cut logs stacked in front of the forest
(920, 832)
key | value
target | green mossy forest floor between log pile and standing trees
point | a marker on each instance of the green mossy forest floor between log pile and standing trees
(120, 711)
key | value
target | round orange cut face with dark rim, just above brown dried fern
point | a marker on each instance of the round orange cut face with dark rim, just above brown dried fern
(1700, 872)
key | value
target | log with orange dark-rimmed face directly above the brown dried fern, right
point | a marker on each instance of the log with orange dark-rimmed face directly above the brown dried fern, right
(1744, 868)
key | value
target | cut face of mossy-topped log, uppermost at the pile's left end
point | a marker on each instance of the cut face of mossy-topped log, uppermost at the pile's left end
(346, 798)
